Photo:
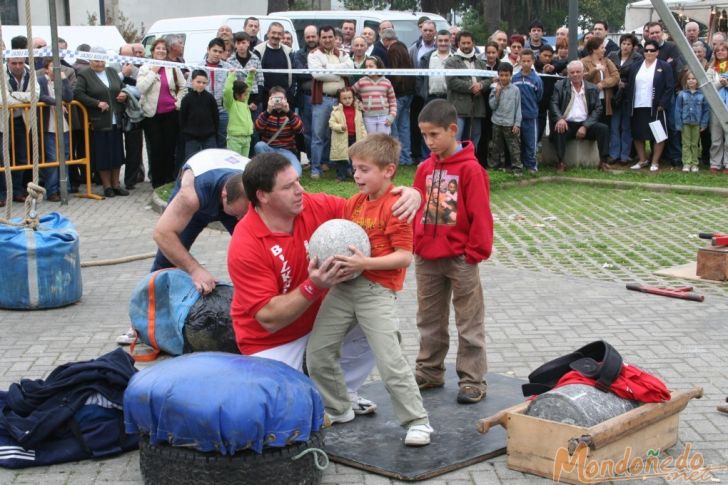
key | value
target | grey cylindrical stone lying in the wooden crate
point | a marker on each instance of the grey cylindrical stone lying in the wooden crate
(579, 404)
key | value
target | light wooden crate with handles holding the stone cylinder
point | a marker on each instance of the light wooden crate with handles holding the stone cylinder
(572, 454)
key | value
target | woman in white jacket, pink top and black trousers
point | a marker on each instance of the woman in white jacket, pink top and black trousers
(162, 90)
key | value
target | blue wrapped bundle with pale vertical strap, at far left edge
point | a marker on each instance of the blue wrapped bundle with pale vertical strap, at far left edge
(42, 267)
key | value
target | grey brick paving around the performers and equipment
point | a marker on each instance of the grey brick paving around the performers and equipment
(532, 315)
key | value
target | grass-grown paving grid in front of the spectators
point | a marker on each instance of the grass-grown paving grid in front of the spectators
(597, 232)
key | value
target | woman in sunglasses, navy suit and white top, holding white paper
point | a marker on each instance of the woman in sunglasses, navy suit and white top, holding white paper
(649, 94)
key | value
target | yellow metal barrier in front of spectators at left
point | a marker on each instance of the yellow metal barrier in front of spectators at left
(72, 110)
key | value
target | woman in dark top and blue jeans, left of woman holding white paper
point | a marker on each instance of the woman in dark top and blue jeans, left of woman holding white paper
(620, 138)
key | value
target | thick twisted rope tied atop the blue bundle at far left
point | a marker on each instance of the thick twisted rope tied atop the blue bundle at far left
(34, 195)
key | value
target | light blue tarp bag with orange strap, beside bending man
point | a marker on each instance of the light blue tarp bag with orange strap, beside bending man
(158, 308)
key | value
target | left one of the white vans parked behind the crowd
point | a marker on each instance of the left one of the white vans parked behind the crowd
(197, 32)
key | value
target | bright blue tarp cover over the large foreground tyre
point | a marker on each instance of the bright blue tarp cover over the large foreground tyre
(213, 401)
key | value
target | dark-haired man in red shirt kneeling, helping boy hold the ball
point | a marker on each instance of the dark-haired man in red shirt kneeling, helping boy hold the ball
(277, 290)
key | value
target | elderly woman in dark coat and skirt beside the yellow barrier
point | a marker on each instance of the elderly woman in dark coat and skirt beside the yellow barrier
(99, 90)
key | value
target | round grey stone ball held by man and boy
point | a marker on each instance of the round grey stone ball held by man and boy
(333, 238)
